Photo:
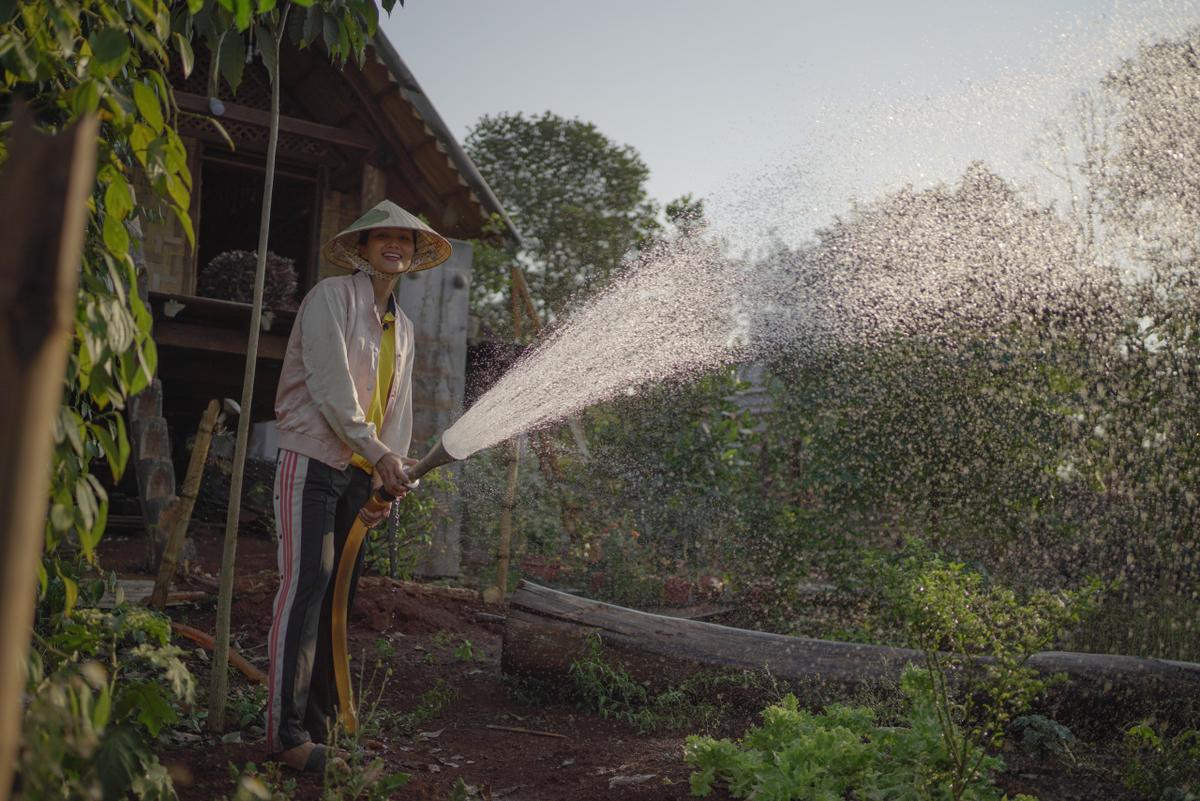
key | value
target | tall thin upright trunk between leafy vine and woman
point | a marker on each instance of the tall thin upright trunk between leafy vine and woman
(219, 684)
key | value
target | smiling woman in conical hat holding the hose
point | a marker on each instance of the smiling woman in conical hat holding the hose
(345, 419)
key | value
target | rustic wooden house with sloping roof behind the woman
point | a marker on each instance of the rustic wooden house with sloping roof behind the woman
(350, 137)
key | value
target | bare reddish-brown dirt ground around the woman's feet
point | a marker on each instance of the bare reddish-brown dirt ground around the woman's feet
(445, 641)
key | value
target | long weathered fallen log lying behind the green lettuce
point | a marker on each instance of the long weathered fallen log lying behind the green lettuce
(547, 631)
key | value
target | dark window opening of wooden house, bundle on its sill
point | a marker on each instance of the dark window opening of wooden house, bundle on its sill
(231, 209)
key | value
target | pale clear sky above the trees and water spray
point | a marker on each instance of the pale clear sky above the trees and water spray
(781, 111)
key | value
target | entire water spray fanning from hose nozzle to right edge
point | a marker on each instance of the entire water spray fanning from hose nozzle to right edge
(965, 360)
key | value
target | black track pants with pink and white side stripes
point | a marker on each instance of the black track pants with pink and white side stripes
(315, 509)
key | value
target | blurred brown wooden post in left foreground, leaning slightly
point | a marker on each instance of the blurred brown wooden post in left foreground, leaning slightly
(44, 194)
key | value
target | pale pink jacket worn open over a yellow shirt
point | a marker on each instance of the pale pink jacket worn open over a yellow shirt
(329, 374)
